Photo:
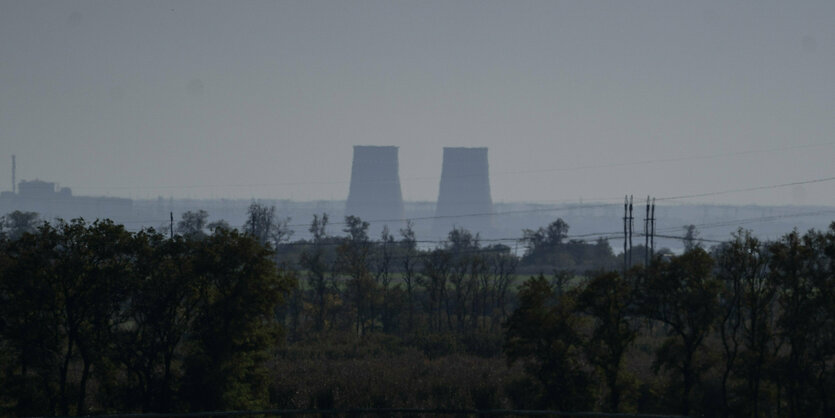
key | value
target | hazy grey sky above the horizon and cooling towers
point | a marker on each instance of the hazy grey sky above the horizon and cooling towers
(266, 98)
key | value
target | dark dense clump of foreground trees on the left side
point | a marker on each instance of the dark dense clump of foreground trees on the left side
(147, 322)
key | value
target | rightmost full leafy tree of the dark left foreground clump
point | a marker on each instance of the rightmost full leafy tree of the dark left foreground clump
(235, 326)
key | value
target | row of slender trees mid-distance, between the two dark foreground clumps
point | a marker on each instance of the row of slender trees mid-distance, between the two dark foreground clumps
(390, 285)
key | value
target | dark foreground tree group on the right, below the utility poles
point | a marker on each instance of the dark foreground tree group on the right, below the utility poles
(744, 329)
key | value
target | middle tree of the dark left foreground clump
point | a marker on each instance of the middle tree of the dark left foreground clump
(164, 297)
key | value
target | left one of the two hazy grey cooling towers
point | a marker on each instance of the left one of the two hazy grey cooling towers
(375, 184)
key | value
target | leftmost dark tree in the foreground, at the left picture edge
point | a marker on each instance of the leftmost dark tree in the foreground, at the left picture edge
(63, 288)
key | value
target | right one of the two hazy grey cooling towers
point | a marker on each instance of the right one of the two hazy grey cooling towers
(464, 190)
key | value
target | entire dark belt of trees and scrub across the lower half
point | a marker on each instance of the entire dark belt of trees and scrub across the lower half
(206, 316)
